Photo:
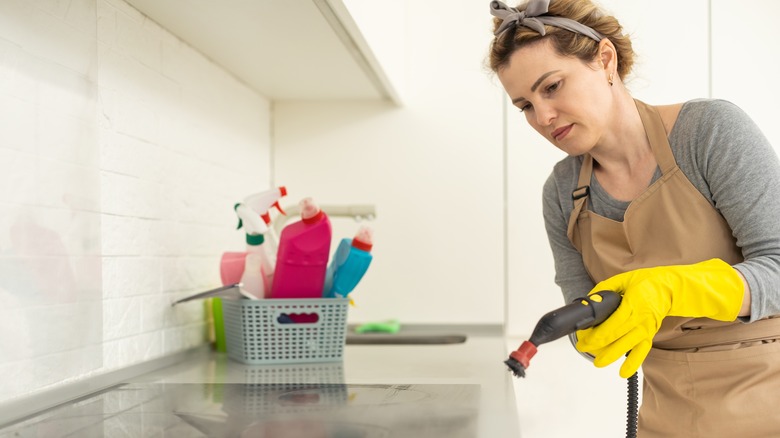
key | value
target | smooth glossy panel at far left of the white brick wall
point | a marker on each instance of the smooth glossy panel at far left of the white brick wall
(50, 271)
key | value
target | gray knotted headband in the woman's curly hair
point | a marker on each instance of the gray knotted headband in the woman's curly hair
(533, 18)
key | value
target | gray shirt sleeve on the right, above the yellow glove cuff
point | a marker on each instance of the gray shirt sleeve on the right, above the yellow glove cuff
(739, 170)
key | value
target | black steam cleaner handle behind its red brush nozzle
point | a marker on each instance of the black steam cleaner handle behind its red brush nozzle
(579, 315)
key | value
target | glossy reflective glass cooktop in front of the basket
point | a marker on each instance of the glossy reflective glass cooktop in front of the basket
(285, 410)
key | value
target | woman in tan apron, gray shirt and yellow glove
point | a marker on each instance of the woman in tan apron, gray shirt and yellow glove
(676, 207)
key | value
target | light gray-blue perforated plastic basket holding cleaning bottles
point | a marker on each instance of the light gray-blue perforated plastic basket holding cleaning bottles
(256, 331)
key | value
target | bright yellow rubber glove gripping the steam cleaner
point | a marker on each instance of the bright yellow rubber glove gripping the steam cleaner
(711, 289)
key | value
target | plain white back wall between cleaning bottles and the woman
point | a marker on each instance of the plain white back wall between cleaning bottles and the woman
(431, 166)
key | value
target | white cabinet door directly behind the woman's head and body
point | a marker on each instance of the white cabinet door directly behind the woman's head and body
(669, 68)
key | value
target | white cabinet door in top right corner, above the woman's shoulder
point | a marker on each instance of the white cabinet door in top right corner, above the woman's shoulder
(745, 59)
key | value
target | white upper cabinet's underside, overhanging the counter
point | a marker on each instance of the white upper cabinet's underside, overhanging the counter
(286, 50)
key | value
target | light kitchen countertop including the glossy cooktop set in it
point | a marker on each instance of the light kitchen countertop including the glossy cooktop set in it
(452, 390)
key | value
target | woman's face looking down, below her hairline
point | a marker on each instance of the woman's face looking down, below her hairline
(564, 99)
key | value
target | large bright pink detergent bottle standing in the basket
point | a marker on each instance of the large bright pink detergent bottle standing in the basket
(302, 257)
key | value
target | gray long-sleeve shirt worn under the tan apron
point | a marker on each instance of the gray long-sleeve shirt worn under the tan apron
(727, 158)
